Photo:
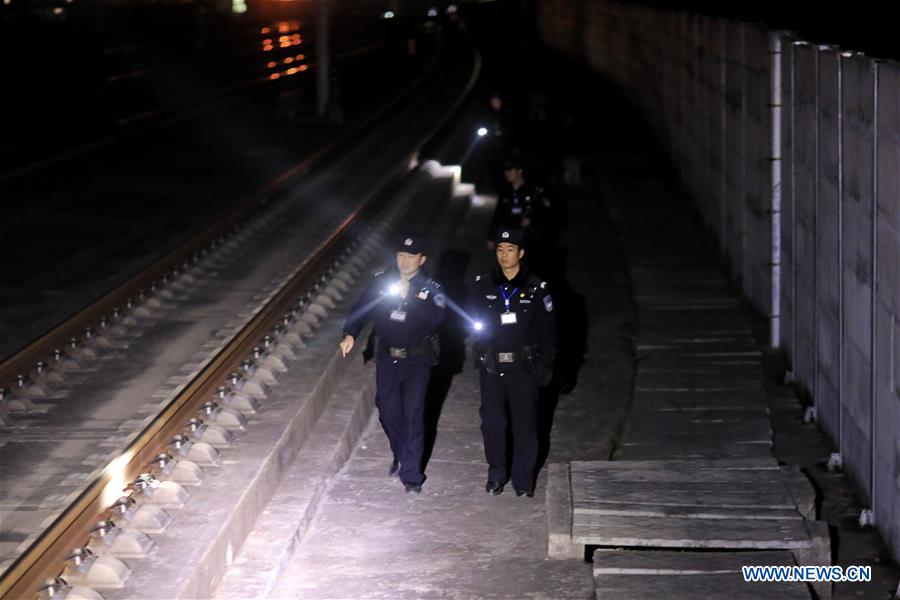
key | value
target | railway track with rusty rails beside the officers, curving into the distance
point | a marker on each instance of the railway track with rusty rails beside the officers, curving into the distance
(154, 461)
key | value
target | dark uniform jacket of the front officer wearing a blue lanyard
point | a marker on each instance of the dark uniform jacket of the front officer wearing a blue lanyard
(516, 316)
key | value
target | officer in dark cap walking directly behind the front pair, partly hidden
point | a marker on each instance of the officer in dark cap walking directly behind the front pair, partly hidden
(522, 206)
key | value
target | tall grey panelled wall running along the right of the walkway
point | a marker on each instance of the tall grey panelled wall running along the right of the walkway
(792, 154)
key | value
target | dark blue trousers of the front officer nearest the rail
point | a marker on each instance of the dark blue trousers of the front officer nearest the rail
(400, 399)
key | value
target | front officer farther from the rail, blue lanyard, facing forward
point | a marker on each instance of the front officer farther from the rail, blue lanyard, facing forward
(515, 346)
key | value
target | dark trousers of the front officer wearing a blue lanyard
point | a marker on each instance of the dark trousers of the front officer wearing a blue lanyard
(510, 402)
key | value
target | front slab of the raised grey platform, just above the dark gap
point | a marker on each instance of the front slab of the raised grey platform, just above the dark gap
(680, 532)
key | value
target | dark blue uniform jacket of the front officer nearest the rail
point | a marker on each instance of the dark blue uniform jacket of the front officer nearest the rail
(399, 322)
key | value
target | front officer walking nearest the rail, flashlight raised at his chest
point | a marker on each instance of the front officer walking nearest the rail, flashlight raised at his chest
(406, 307)
